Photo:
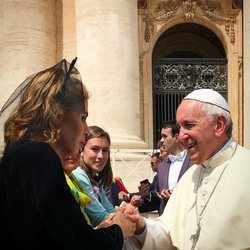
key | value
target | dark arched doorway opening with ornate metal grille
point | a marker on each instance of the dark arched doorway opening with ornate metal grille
(187, 56)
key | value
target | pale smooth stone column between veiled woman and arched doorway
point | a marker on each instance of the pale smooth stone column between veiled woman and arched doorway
(107, 47)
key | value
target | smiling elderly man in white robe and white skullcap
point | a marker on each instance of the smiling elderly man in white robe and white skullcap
(210, 207)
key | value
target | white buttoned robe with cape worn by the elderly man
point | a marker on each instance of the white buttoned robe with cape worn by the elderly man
(225, 220)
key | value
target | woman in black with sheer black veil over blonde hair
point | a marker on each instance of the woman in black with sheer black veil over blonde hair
(37, 209)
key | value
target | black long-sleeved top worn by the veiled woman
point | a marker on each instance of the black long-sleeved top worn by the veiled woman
(37, 209)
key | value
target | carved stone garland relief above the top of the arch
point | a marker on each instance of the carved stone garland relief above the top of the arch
(210, 9)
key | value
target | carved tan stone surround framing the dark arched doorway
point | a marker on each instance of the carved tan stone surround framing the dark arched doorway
(221, 18)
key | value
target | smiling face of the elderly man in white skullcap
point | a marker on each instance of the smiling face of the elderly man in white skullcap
(198, 133)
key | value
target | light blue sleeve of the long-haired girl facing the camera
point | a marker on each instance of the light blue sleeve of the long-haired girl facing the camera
(95, 210)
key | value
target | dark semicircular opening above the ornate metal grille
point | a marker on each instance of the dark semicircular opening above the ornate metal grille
(188, 40)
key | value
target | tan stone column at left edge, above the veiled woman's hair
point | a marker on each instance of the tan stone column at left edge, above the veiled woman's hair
(27, 41)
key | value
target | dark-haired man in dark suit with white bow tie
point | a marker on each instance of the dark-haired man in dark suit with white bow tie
(169, 171)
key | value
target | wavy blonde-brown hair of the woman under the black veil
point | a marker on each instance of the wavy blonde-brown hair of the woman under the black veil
(47, 96)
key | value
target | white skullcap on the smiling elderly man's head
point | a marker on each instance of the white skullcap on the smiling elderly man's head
(208, 96)
